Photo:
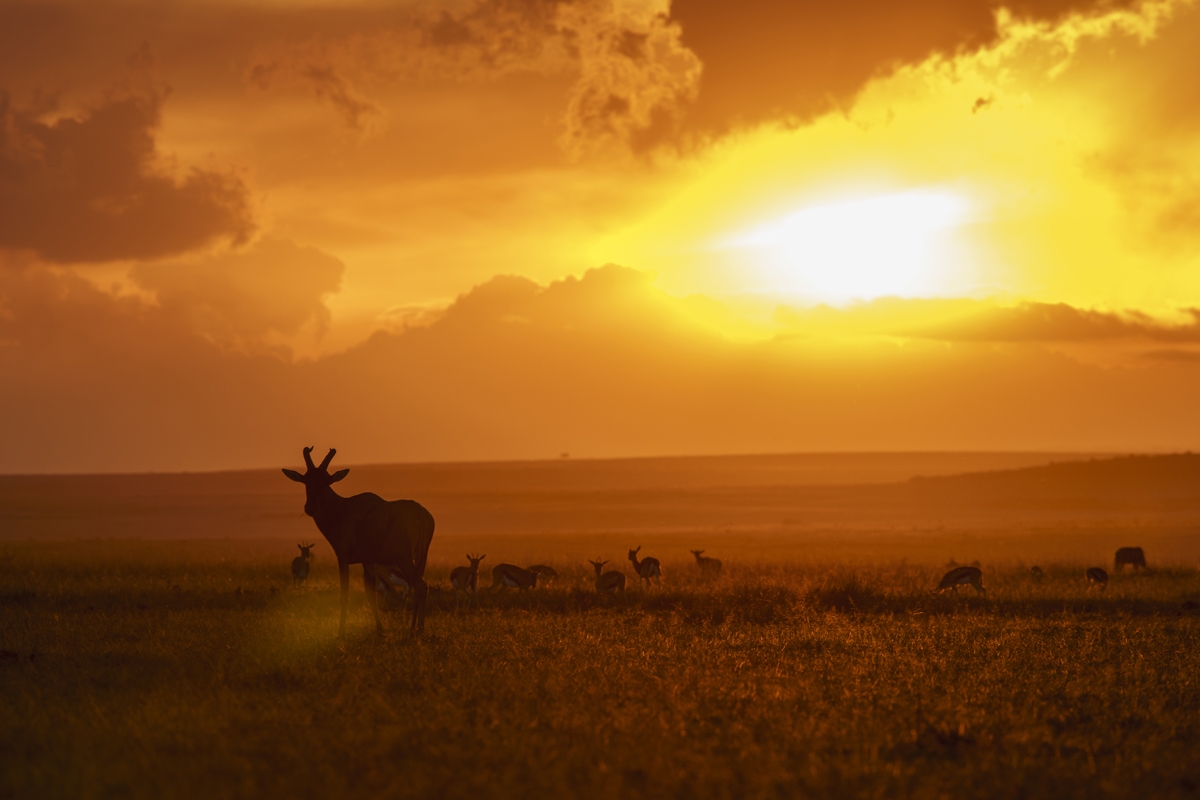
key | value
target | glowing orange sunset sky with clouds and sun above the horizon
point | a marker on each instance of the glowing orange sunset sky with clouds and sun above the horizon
(519, 228)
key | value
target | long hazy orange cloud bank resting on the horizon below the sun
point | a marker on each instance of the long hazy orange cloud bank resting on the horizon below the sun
(605, 365)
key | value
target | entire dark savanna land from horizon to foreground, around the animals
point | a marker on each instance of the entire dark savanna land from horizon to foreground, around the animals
(153, 642)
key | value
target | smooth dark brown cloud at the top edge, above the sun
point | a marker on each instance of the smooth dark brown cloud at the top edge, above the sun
(769, 61)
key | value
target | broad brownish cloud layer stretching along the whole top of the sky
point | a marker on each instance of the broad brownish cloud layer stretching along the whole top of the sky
(638, 79)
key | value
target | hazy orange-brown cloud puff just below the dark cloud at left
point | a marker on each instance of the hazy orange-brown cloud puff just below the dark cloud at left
(241, 298)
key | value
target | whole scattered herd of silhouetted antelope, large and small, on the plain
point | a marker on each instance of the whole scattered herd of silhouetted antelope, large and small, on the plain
(392, 542)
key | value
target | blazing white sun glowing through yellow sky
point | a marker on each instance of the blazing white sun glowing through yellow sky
(902, 244)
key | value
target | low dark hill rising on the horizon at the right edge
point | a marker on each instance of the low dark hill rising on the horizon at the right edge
(1127, 478)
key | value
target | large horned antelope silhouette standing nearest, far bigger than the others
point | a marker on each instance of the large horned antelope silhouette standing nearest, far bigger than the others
(367, 530)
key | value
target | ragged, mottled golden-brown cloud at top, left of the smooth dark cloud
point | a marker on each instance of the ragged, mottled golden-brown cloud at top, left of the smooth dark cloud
(632, 77)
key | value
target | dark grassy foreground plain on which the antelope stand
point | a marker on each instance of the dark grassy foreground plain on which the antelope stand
(184, 670)
